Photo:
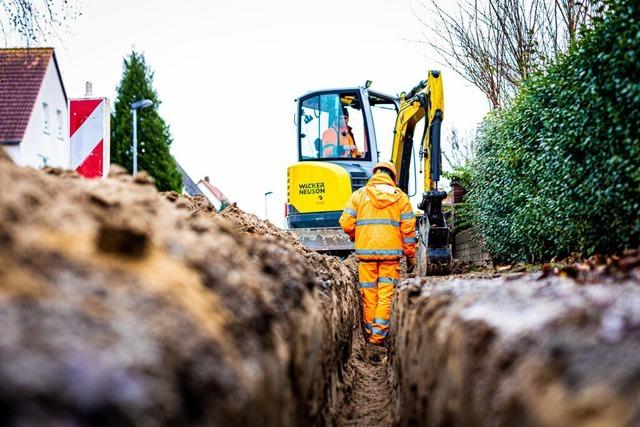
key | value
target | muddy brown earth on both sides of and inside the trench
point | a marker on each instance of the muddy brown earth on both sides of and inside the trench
(123, 306)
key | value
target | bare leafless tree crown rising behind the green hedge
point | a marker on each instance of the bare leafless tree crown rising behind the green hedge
(495, 44)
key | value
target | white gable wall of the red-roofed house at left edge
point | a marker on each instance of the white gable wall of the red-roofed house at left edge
(47, 144)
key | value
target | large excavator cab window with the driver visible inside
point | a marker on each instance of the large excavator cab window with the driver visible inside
(332, 127)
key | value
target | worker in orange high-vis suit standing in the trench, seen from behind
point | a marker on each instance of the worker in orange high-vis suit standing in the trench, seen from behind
(379, 218)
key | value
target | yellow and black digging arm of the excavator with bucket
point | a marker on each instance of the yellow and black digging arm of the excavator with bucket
(425, 102)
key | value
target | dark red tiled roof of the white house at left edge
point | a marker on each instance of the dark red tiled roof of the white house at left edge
(22, 72)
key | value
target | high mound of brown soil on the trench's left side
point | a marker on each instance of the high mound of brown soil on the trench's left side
(120, 305)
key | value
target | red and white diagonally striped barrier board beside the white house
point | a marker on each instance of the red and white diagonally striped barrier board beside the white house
(89, 128)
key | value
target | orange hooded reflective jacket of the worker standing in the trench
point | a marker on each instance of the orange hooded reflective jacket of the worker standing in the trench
(379, 218)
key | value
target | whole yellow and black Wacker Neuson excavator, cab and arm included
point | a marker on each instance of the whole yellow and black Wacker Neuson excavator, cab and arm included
(337, 149)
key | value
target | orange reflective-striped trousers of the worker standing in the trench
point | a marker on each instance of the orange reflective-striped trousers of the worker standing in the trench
(377, 280)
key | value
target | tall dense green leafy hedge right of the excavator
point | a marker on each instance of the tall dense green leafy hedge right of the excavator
(558, 172)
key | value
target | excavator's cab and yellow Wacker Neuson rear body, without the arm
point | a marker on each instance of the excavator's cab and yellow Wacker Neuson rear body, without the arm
(337, 149)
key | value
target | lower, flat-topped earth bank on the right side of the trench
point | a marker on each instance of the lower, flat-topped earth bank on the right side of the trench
(522, 349)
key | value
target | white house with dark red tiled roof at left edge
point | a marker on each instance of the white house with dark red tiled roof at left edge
(33, 108)
